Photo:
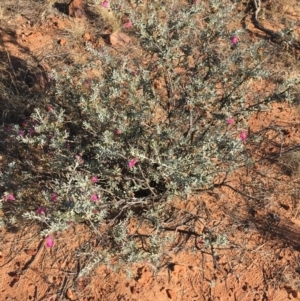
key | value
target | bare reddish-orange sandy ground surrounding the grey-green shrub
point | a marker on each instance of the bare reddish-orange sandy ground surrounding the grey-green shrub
(262, 259)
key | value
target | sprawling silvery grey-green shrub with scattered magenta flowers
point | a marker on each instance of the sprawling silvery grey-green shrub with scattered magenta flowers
(164, 119)
